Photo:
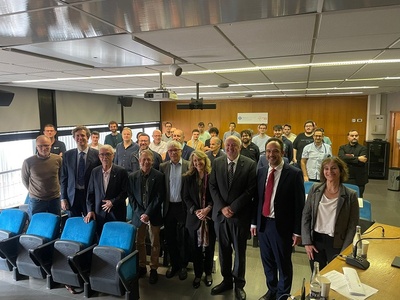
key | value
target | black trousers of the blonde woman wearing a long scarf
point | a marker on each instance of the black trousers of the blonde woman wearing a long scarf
(203, 259)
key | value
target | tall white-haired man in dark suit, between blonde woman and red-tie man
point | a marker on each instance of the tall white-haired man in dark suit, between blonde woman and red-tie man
(232, 187)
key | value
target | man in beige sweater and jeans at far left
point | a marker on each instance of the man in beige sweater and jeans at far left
(41, 176)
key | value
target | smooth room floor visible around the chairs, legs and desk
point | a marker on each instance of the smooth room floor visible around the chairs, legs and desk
(385, 209)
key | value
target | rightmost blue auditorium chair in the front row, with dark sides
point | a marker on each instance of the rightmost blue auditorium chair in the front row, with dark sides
(112, 266)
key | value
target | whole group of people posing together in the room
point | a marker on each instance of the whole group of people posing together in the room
(203, 193)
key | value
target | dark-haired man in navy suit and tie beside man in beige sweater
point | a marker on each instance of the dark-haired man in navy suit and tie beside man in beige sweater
(77, 165)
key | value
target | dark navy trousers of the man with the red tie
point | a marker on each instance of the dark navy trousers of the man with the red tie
(276, 256)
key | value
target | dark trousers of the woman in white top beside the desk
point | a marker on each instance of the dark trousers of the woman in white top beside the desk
(326, 252)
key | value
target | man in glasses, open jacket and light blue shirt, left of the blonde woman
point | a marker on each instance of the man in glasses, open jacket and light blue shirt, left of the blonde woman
(174, 211)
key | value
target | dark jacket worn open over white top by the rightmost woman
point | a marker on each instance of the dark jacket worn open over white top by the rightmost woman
(346, 217)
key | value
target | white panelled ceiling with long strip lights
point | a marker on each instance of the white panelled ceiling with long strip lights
(120, 47)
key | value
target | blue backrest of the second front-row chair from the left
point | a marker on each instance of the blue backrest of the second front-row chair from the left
(45, 225)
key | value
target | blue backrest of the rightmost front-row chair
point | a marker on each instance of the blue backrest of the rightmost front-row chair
(118, 234)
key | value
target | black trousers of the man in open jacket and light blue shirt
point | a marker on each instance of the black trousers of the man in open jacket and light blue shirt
(176, 235)
